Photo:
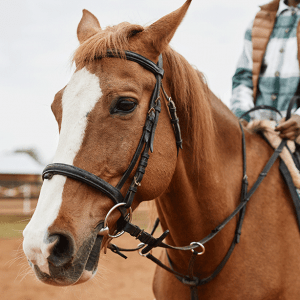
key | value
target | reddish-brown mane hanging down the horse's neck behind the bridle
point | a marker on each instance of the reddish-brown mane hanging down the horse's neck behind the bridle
(191, 95)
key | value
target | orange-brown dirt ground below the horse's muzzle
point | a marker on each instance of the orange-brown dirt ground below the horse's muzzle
(117, 278)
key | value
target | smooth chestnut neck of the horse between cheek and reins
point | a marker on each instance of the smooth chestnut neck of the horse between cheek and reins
(199, 200)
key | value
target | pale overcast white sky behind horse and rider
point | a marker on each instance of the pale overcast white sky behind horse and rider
(38, 38)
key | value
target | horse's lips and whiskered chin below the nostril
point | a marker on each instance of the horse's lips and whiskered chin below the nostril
(79, 271)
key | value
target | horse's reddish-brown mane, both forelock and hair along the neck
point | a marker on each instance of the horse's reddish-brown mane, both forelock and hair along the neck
(187, 85)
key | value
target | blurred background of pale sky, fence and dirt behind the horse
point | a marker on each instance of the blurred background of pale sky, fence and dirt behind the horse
(37, 40)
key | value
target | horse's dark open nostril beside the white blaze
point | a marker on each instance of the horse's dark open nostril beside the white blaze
(62, 251)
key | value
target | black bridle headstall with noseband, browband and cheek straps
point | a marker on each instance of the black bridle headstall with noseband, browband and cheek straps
(142, 151)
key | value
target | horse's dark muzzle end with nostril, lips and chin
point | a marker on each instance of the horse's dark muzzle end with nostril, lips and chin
(65, 266)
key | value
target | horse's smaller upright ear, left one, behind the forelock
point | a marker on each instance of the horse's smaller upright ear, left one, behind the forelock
(88, 26)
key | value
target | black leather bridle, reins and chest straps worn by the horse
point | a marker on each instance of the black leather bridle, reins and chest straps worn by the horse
(148, 241)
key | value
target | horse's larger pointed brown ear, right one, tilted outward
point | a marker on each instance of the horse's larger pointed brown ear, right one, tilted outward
(160, 33)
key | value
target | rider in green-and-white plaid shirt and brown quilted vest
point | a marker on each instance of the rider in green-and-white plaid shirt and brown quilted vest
(268, 70)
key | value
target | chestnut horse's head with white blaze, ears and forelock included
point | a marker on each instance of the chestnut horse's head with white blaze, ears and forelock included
(101, 114)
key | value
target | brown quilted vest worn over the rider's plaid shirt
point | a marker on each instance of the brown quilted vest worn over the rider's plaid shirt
(262, 29)
